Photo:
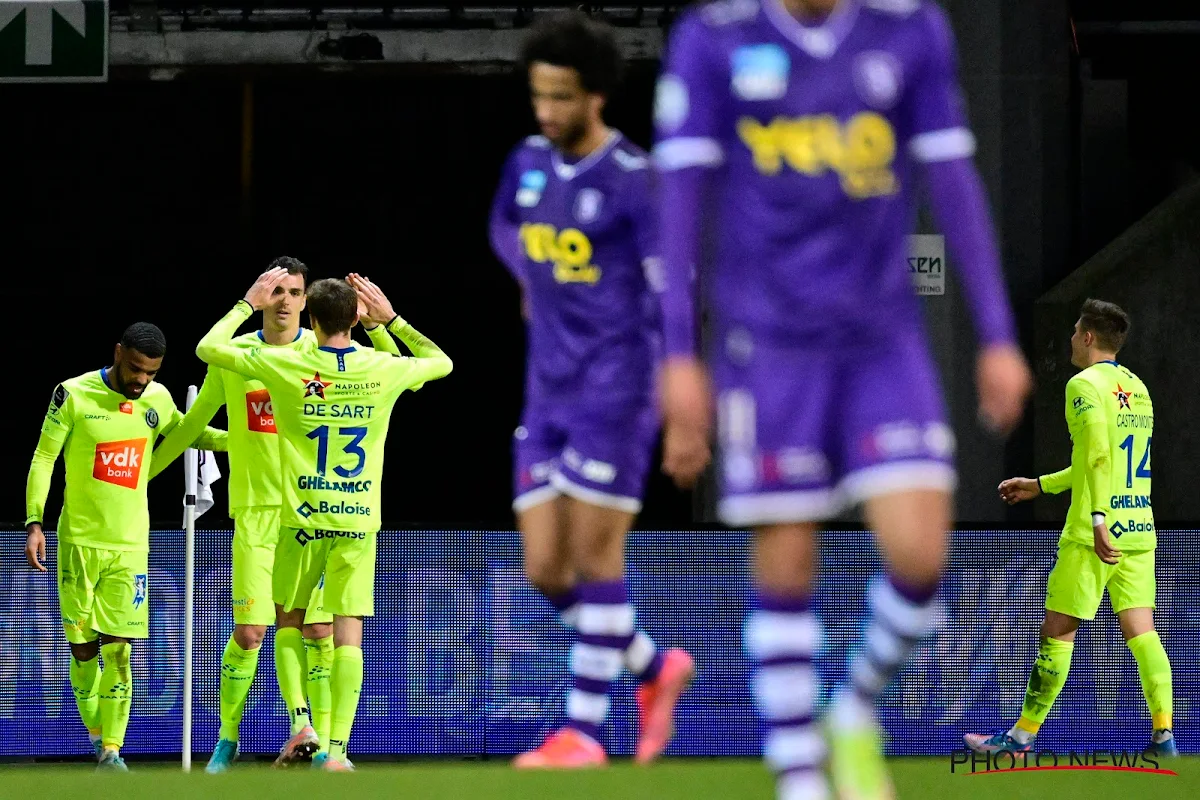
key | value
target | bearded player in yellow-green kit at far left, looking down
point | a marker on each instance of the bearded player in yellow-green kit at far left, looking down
(106, 423)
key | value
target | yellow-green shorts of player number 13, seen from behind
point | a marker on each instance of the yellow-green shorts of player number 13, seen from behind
(345, 558)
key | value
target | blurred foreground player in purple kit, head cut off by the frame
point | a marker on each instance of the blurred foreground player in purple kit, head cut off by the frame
(791, 137)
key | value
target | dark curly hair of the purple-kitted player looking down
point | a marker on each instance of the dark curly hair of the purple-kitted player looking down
(572, 39)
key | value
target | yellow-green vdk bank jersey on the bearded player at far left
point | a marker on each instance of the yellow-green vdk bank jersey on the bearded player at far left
(107, 442)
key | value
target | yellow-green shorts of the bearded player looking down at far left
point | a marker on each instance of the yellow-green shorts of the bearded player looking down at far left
(104, 592)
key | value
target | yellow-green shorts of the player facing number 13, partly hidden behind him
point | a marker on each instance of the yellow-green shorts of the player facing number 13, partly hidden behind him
(256, 534)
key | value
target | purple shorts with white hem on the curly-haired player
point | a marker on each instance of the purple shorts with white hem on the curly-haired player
(599, 458)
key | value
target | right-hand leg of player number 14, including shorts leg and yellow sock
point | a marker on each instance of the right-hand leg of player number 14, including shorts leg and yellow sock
(1132, 590)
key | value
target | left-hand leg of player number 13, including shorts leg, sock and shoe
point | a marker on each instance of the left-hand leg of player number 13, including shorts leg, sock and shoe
(299, 563)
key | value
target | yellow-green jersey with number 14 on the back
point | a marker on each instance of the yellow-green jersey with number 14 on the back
(1112, 423)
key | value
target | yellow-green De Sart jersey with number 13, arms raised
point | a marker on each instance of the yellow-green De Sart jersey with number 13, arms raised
(332, 411)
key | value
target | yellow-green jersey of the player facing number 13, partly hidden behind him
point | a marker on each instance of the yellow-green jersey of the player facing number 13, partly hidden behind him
(254, 443)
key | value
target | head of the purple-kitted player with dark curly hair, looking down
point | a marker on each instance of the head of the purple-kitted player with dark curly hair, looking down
(574, 65)
